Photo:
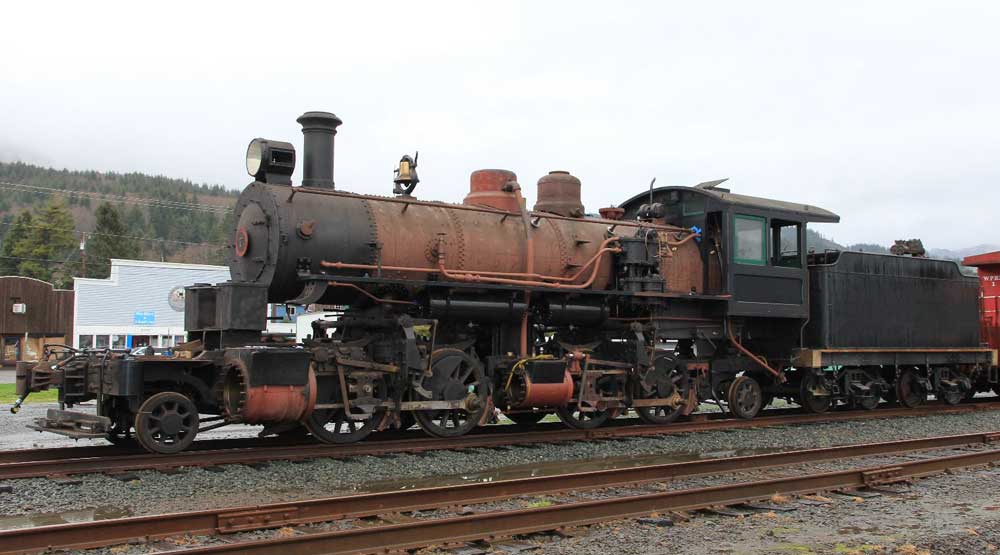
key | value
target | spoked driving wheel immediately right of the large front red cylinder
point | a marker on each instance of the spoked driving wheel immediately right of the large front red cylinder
(365, 390)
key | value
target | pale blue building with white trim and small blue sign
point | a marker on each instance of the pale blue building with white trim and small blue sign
(134, 303)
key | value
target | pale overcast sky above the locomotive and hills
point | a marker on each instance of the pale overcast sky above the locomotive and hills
(884, 112)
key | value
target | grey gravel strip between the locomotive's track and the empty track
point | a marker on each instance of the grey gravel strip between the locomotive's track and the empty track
(235, 485)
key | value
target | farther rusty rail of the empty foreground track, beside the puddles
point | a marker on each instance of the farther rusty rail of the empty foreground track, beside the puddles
(207, 522)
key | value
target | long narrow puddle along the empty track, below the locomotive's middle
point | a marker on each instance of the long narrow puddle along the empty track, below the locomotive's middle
(552, 468)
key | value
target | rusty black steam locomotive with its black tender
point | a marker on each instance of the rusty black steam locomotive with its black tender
(449, 313)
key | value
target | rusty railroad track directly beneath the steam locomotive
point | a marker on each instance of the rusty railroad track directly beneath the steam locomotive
(65, 461)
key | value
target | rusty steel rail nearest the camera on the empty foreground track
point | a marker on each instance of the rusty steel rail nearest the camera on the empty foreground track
(413, 535)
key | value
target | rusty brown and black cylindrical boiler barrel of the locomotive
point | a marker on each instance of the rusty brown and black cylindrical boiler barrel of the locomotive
(279, 229)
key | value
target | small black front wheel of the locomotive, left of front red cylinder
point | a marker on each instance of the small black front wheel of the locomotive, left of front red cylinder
(166, 423)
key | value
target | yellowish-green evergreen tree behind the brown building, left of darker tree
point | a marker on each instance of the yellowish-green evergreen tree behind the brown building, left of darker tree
(45, 252)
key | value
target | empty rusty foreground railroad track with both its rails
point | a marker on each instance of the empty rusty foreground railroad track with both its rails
(502, 523)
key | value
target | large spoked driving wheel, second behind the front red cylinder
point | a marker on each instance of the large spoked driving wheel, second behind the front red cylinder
(456, 376)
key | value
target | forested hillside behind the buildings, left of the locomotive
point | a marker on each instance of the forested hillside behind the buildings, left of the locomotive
(160, 218)
